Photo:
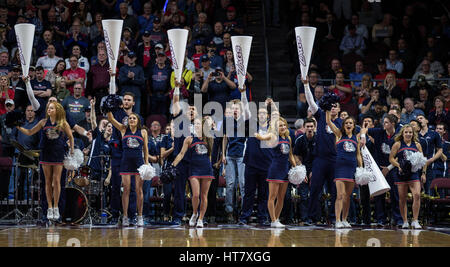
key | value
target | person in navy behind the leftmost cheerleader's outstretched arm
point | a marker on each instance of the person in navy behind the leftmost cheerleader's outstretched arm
(28, 143)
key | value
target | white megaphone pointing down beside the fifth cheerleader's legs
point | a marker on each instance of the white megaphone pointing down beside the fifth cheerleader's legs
(378, 185)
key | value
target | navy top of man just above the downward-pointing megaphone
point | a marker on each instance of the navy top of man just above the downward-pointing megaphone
(383, 145)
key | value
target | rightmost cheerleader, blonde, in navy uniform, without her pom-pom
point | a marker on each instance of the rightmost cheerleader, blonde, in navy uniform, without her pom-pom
(406, 142)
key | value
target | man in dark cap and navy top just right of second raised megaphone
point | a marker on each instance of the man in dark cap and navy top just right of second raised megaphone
(131, 79)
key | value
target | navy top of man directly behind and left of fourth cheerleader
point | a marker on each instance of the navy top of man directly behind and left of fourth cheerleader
(255, 155)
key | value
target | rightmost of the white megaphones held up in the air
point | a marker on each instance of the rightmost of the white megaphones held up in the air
(305, 42)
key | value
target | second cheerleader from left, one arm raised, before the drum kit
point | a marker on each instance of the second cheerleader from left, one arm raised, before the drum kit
(135, 154)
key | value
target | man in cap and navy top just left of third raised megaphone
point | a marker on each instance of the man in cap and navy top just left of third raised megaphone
(160, 85)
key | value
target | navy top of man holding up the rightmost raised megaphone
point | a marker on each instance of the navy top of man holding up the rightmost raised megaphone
(325, 145)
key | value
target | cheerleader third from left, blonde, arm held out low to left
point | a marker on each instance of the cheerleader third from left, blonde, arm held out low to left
(199, 148)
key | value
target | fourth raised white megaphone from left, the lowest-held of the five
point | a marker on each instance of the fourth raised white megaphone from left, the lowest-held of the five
(241, 52)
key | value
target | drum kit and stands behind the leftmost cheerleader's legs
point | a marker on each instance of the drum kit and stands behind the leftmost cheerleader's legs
(83, 191)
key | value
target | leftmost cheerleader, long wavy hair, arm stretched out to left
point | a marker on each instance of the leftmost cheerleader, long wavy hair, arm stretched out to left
(53, 140)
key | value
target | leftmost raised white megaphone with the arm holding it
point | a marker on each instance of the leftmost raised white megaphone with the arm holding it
(25, 36)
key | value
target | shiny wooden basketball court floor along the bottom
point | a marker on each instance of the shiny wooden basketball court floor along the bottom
(219, 236)
